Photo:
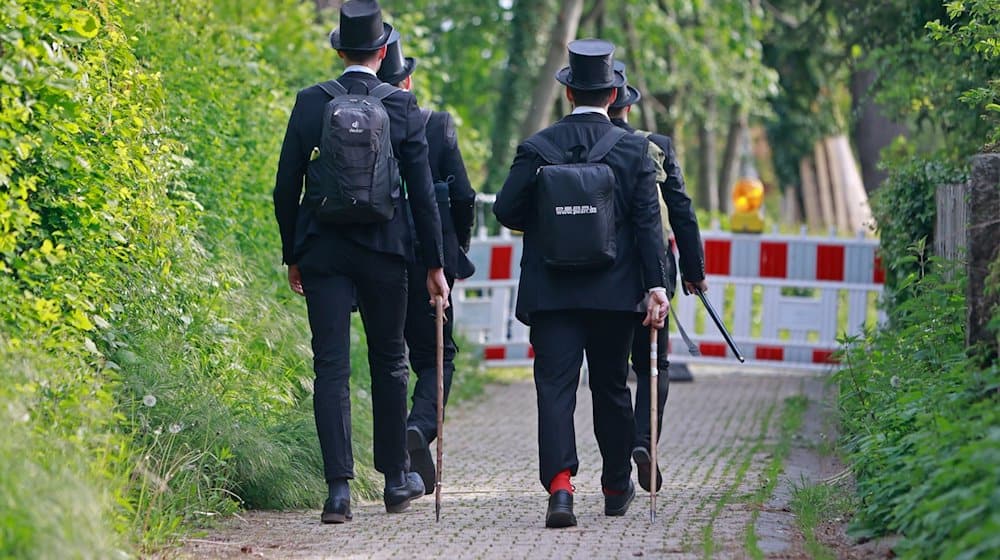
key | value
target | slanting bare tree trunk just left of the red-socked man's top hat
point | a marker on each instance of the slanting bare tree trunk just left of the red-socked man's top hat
(546, 88)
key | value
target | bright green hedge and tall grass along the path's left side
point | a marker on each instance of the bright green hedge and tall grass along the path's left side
(155, 366)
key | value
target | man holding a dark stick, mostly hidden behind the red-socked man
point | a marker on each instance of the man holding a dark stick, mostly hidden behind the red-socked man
(688, 238)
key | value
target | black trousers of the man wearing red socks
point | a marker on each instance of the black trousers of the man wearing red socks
(560, 339)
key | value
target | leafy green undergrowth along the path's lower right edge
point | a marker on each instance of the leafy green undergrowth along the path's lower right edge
(922, 427)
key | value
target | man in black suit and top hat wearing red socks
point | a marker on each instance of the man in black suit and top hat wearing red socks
(572, 312)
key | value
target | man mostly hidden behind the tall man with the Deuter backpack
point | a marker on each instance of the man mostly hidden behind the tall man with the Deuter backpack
(456, 204)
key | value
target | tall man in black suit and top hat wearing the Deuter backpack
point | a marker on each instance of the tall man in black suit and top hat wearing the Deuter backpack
(326, 263)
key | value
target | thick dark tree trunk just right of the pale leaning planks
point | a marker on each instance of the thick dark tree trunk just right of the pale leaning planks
(872, 131)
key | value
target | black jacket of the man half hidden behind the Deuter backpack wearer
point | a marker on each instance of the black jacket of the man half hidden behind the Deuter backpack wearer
(446, 163)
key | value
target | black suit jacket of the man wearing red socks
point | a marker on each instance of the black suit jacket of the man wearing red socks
(639, 263)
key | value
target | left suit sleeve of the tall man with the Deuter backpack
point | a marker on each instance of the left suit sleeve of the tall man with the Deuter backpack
(288, 183)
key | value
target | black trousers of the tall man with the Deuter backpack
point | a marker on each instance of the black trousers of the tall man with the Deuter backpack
(330, 274)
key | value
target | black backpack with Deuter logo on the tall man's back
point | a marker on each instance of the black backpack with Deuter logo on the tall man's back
(355, 177)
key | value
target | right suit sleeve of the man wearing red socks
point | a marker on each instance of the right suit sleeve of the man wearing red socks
(648, 229)
